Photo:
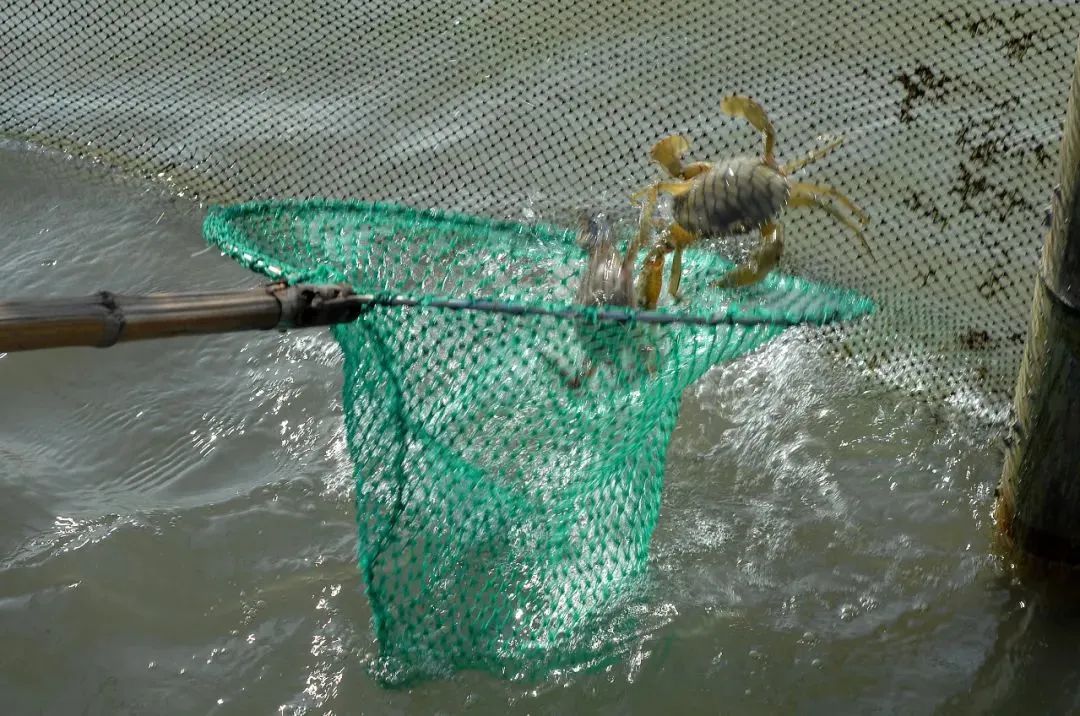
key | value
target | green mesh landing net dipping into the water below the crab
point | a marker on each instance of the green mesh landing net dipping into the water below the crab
(506, 494)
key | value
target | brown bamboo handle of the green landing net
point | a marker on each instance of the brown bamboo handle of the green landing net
(106, 319)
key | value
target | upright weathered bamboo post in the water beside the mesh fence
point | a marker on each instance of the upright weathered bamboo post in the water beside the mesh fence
(1038, 505)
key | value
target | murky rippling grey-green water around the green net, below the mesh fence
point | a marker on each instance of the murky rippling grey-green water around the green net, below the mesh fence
(178, 533)
